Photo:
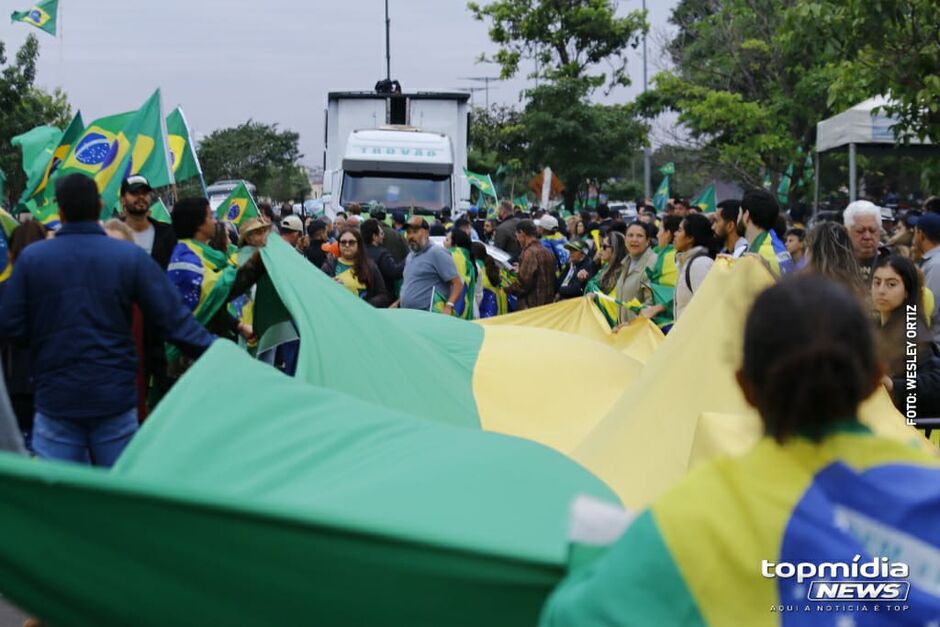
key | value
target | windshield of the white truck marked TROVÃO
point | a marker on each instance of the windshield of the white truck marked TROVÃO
(396, 191)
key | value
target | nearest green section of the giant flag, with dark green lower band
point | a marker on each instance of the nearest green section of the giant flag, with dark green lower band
(328, 511)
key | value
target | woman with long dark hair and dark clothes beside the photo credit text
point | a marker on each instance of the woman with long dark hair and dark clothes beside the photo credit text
(903, 336)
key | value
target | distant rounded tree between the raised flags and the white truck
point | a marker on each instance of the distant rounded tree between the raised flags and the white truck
(257, 152)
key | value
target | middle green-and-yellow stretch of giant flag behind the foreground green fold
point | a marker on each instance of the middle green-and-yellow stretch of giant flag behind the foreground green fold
(447, 369)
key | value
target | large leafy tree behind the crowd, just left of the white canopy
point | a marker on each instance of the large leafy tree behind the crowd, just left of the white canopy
(748, 86)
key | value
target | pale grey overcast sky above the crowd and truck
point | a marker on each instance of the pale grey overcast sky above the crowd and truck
(269, 60)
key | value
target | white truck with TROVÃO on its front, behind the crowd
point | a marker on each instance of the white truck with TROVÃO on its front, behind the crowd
(403, 151)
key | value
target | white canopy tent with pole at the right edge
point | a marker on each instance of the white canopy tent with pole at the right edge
(859, 126)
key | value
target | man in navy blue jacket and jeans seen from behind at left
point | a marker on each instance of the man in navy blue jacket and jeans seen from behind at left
(70, 299)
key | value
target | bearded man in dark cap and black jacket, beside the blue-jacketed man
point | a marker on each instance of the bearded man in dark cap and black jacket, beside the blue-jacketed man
(159, 240)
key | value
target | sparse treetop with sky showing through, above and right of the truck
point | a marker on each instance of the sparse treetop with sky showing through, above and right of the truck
(570, 40)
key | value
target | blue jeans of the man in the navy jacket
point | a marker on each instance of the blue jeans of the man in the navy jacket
(98, 441)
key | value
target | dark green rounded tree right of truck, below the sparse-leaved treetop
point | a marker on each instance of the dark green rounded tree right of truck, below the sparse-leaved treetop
(582, 141)
